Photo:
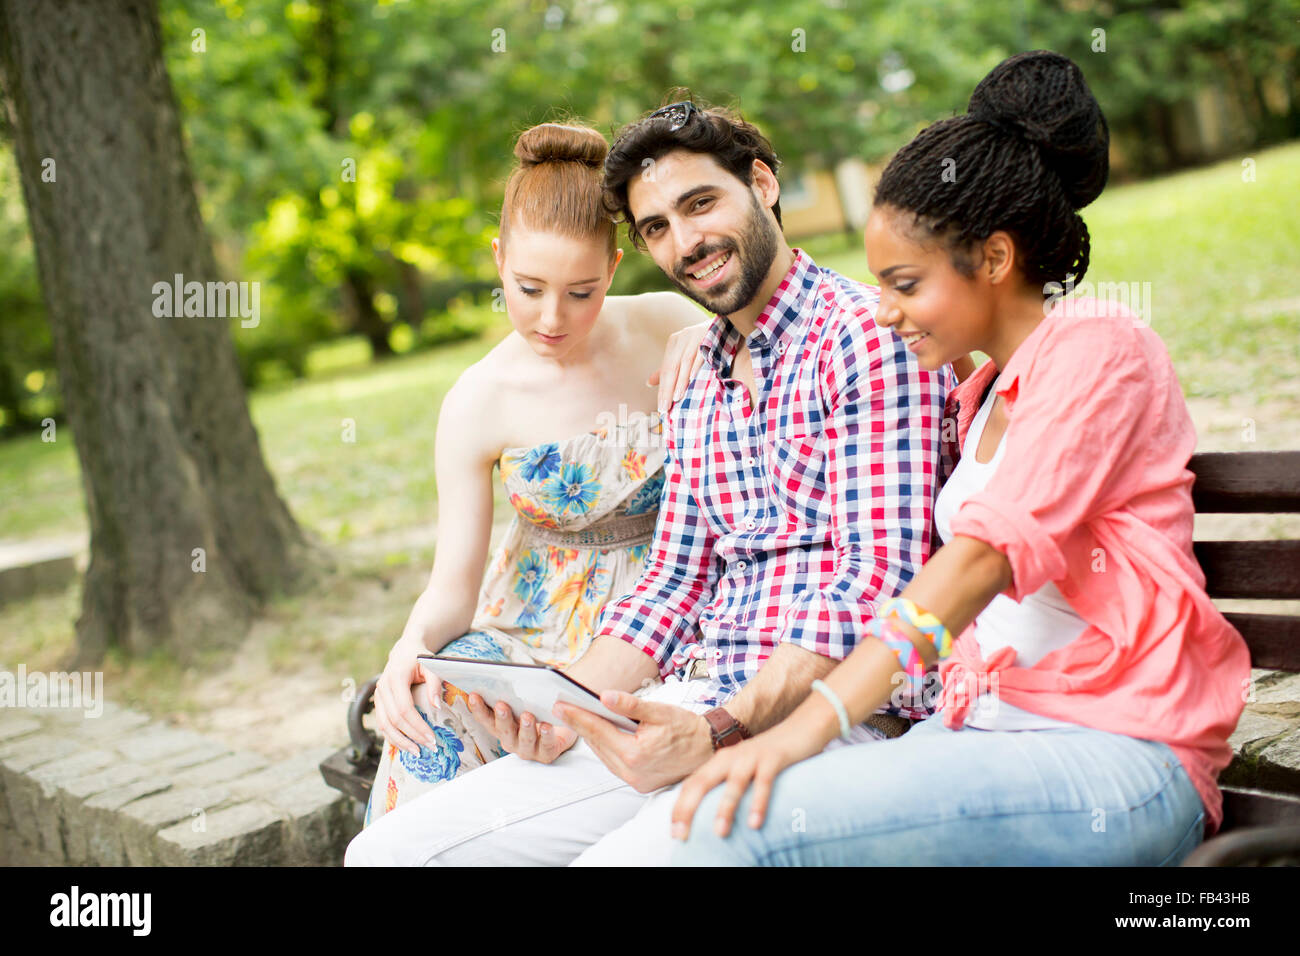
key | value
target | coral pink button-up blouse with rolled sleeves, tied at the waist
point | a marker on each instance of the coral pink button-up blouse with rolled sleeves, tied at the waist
(1094, 495)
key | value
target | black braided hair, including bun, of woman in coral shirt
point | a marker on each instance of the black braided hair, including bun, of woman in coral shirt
(1032, 152)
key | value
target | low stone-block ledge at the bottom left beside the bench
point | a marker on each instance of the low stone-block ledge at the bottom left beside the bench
(128, 790)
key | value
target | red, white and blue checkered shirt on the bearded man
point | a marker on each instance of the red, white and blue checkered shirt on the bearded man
(786, 522)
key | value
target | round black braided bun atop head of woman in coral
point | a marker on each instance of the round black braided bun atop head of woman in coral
(1043, 98)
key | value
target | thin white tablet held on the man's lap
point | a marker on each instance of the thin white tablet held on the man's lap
(526, 687)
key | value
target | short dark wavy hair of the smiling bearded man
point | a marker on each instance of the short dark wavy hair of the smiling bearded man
(717, 132)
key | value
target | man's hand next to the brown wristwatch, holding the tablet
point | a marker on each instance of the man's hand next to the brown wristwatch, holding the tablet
(669, 745)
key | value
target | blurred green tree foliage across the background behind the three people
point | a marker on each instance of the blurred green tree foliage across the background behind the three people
(352, 154)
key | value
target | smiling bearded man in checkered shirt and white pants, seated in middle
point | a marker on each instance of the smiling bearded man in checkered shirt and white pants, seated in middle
(799, 490)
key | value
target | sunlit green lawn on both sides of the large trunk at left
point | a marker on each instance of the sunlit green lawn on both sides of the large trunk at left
(340, 490)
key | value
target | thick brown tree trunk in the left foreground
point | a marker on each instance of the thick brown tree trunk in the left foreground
(170, 458)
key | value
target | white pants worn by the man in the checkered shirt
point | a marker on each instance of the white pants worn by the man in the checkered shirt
(517, 812)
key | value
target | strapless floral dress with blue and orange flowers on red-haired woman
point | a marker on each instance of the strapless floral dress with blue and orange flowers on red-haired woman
(586, 511)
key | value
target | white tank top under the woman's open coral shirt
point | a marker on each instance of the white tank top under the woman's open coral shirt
(1037, 626)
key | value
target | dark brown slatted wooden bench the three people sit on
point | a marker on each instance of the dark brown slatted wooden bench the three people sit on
(1262, 824)
